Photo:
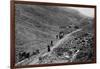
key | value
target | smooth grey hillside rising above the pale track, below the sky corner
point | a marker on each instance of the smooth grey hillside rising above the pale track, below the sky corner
(36, 26)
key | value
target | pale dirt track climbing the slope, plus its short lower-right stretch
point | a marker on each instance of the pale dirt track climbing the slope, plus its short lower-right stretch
(34, 60)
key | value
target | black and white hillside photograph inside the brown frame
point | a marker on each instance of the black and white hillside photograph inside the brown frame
(47, 34)
